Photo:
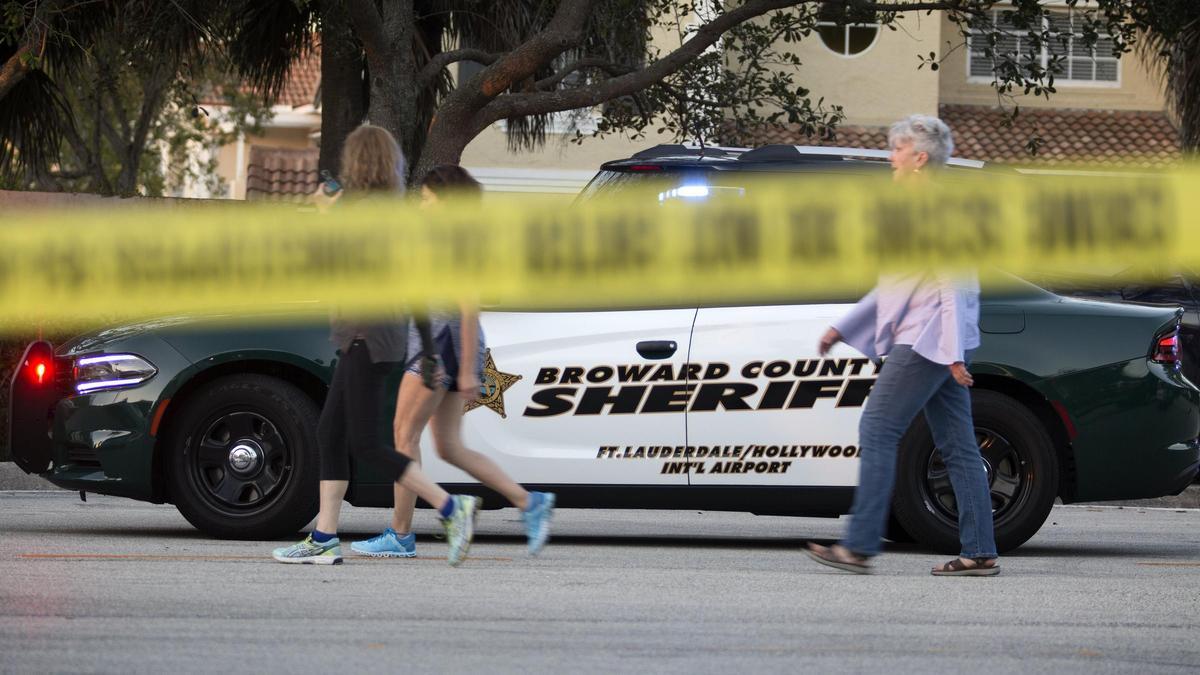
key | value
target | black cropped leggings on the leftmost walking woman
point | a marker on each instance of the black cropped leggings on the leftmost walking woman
(353, 419)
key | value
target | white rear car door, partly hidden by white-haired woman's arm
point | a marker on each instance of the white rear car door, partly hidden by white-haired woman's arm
(781, 415)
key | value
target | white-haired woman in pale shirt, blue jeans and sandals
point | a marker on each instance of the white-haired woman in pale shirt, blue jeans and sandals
(928, 326)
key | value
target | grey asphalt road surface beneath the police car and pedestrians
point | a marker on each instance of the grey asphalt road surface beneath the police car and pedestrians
(113, 586)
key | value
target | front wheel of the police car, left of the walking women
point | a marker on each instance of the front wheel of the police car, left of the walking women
(243, 458)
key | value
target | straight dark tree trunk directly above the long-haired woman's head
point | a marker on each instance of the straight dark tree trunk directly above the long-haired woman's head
(343, 91)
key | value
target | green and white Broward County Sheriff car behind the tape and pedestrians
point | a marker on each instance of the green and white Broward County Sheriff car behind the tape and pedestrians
(697, 408)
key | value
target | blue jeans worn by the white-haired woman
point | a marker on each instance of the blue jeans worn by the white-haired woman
(908, 385)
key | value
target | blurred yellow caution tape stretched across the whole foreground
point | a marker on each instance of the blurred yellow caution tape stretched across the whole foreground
(806, 237)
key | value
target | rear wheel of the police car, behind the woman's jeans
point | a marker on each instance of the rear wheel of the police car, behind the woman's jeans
(1023, 477)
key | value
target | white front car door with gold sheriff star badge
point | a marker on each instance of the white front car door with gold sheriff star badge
(580, 398)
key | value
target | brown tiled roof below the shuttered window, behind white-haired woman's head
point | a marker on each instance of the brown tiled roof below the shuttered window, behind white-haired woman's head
(1114, 139)
